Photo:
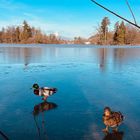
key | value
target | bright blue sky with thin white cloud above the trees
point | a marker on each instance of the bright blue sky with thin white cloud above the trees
(69, 18)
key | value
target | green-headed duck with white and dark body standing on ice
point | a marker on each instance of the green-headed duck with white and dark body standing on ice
(44, 92)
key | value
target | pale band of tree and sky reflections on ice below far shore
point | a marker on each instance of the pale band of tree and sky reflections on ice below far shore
(104, 56)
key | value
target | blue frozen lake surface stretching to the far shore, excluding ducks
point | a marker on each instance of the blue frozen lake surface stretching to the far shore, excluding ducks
(88, 79)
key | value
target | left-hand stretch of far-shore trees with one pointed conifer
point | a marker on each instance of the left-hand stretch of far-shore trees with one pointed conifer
(26, 34)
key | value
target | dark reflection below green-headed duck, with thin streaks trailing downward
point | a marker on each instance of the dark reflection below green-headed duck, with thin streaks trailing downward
(39, 110)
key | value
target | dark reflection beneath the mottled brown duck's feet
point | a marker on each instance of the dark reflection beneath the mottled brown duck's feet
(114, 136)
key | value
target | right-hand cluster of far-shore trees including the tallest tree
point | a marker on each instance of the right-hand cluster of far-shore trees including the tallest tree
(122, 34)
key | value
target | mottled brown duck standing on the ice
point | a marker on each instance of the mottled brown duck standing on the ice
(112, 119)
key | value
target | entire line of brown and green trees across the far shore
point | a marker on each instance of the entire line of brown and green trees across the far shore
(121, 34)
